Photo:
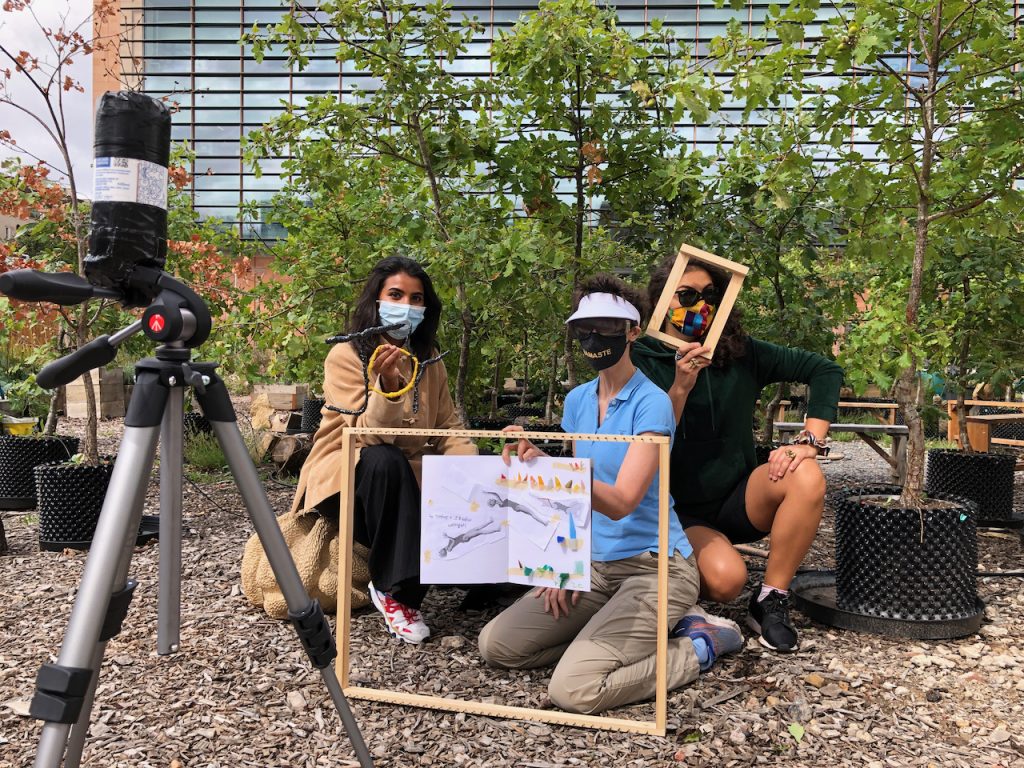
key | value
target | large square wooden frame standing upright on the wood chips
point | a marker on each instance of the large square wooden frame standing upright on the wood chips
(658, 728)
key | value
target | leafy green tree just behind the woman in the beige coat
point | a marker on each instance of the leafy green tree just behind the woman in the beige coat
(425, 127)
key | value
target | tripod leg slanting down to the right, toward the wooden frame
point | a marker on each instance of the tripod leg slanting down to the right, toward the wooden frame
(307, 615)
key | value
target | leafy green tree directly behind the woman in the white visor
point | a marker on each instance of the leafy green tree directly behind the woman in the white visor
(588, 117)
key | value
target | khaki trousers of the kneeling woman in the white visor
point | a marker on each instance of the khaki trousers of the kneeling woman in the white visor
(606, 648)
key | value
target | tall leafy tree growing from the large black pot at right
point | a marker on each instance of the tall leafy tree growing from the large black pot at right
(934, 87)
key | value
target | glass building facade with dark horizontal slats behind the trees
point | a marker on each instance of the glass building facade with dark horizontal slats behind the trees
(189, 52)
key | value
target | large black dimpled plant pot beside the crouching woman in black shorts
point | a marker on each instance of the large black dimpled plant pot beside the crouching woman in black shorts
(906, 565)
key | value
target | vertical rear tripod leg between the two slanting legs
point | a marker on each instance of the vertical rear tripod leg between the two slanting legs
(169, 591)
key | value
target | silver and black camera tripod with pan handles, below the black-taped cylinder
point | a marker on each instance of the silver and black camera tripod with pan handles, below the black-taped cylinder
(180, 320)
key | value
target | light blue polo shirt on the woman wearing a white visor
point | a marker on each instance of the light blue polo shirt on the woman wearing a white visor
(639, 407)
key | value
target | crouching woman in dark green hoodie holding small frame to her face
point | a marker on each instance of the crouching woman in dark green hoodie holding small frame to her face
(722, 497)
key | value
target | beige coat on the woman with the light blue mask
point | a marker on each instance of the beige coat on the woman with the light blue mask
(344, 388)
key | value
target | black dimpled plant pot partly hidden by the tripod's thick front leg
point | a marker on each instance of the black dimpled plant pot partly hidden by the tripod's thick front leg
(71, 497)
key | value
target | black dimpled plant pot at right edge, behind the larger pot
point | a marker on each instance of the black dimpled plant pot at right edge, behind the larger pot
(988, 480)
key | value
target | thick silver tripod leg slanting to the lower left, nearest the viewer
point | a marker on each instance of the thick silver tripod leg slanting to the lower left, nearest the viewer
(65, 691)
